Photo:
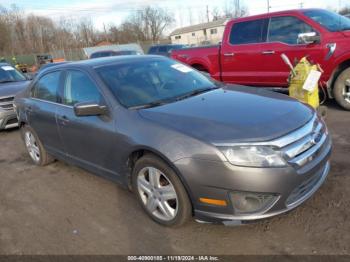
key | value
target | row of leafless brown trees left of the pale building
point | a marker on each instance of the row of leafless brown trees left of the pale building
(25, 34)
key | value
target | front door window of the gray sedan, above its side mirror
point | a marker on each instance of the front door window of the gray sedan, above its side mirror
(78, 88)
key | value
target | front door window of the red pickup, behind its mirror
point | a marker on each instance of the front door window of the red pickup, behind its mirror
(286, 29)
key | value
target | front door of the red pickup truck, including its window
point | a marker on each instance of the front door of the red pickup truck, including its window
(283, 38)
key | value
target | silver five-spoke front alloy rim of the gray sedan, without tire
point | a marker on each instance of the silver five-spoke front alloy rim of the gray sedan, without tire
(157, 193)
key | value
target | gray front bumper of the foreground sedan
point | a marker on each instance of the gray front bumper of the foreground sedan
(293, 184)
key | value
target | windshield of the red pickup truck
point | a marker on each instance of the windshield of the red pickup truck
(330, 20)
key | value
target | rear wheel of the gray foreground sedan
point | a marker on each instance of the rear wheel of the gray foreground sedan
(35, 148)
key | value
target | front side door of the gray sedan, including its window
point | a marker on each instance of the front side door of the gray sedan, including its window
(88, 140)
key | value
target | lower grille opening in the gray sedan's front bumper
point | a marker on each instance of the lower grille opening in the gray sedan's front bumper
(306, 187)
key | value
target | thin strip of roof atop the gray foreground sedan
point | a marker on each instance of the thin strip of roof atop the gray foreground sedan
(104, 61)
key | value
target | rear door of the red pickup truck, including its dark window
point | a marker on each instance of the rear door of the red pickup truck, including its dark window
(241, 52)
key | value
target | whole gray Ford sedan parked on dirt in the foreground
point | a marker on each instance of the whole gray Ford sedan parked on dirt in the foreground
(184, 144)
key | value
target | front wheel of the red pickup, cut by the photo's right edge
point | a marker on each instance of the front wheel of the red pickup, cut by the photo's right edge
(341, 86)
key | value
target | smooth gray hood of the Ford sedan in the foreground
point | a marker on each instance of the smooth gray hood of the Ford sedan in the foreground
(232, 114)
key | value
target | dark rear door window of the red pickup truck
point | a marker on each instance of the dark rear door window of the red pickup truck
(249, 32)
